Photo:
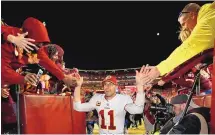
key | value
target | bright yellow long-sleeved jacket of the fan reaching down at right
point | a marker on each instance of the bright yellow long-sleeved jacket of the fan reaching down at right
(201, 38)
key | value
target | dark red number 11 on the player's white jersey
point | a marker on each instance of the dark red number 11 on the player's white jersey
(111, 116)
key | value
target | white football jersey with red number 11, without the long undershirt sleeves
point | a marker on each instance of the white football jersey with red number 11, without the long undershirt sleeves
(111, 113)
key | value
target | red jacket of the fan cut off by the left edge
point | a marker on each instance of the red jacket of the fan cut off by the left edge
(9, 62)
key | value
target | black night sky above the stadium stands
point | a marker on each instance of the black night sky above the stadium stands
(105, 35)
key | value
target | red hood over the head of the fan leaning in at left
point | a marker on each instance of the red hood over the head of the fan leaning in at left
(36, 30)
